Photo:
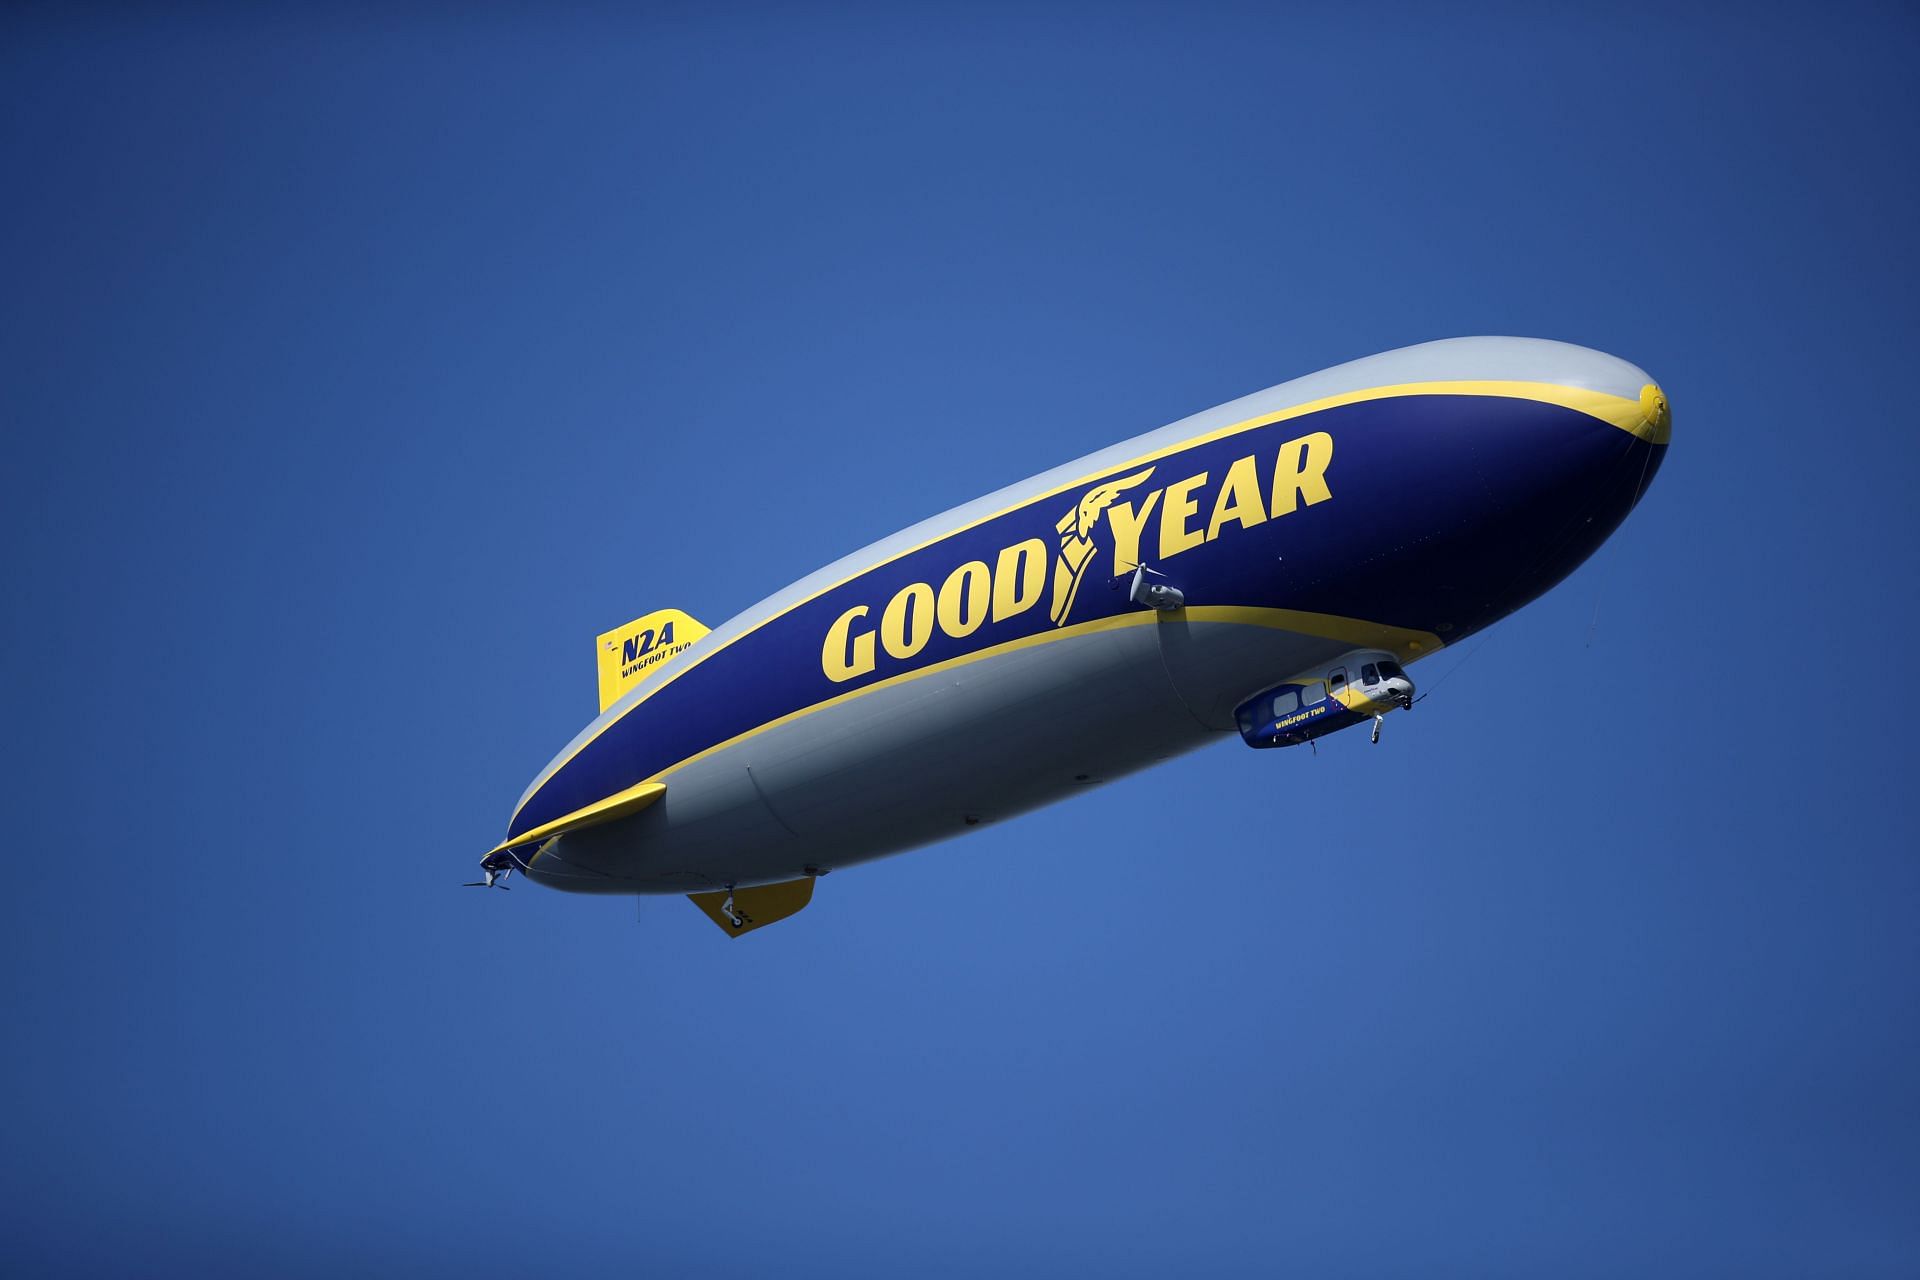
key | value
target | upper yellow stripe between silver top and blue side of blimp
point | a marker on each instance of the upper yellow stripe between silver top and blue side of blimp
(1629, 415)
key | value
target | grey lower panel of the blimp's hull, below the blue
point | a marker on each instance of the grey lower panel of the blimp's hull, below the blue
(909, 765)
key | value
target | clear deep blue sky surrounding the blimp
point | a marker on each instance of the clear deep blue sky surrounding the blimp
(358, 369)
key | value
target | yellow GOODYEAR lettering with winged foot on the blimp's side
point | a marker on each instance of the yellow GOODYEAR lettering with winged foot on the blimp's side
(1251, 490)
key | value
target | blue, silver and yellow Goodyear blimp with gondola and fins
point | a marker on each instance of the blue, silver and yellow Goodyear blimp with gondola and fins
(1272, 569)
